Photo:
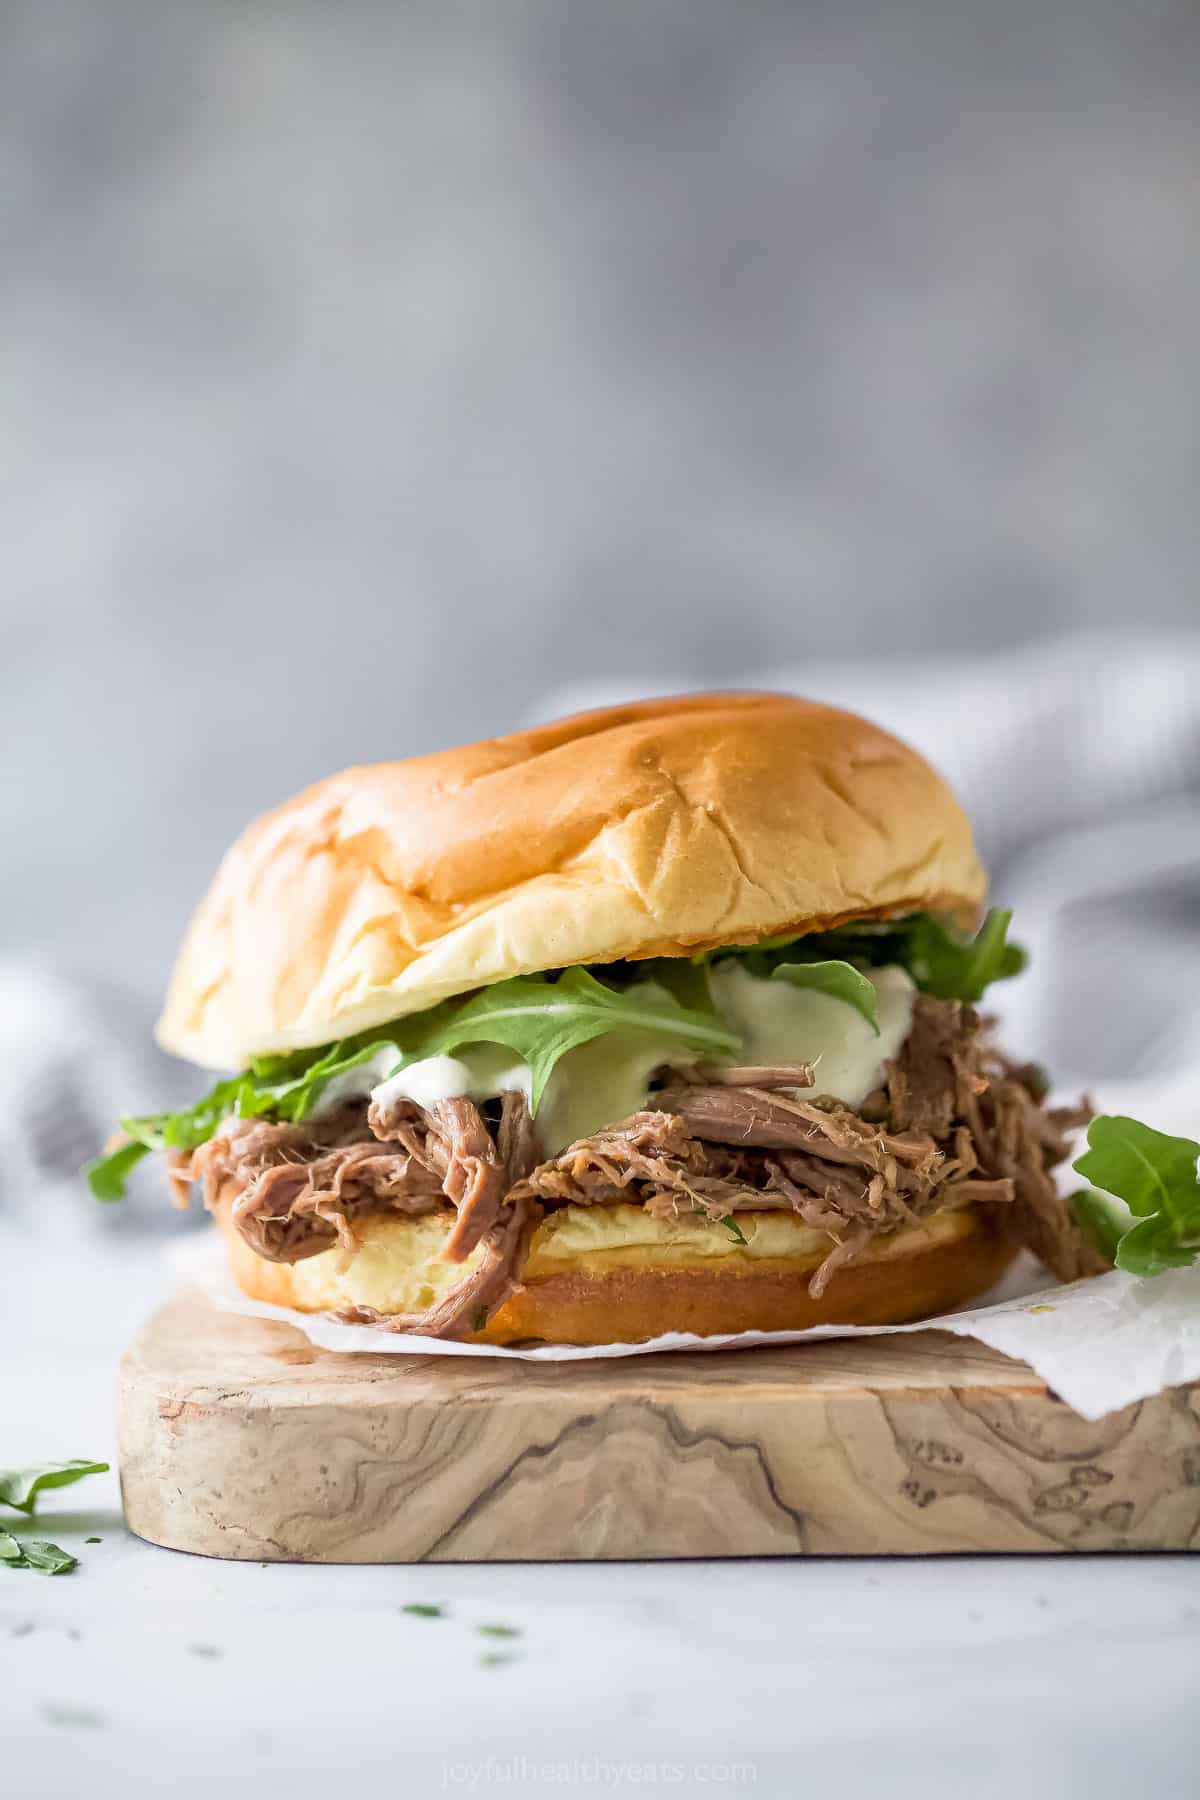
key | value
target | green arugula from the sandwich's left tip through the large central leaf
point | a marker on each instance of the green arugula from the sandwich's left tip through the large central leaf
(541, 1018)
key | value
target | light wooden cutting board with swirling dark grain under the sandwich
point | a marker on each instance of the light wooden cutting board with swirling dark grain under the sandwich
(242, 1439)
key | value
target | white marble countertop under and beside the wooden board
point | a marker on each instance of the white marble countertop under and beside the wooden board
(148, 1673)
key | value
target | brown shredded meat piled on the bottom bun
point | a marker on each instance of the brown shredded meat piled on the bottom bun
(954, 1126)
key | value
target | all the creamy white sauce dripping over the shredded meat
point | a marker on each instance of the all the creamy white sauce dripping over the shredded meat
(609, 1079)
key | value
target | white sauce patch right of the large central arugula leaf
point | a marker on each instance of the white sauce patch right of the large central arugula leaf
(782, 1023)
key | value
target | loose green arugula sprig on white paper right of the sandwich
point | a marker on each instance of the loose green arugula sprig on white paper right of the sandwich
(1156, 1178)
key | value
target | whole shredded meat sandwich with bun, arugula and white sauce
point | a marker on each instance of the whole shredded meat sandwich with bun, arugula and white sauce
(654, 1020)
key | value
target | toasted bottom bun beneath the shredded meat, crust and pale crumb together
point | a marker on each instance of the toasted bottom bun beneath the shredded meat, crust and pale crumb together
(614, 1275)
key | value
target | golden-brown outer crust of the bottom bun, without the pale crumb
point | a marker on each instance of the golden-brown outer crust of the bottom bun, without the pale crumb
(627, 1304)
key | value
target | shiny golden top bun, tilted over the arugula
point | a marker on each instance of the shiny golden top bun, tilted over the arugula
(654, 829)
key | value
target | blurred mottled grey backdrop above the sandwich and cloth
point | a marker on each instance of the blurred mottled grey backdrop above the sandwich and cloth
(370, 370)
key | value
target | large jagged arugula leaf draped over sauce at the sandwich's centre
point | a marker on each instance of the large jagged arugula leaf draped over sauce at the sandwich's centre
(544, 1020)
